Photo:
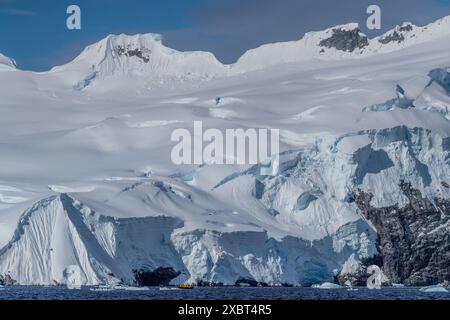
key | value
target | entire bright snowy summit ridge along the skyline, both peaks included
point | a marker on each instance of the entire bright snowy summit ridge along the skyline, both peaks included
(145, 57)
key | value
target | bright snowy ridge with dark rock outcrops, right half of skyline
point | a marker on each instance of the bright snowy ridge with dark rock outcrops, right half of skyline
(340, 42)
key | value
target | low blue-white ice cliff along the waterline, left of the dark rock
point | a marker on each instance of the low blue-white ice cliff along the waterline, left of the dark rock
(59, 232)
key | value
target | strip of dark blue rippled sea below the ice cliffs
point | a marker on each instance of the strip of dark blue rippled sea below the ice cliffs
(154, 293)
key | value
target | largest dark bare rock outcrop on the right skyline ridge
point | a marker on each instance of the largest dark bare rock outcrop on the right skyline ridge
(345, 40)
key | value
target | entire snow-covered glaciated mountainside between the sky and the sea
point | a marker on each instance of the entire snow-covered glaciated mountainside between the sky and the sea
(86, 177)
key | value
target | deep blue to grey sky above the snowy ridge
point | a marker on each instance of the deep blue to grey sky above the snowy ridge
(34, 32)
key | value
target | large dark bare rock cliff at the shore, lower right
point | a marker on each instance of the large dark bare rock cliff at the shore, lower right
(414, 240)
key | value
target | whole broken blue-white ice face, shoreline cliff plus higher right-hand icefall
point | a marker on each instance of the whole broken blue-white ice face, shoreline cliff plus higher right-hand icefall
(61, 231)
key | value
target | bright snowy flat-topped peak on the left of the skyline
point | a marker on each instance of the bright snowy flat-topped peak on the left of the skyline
(140, 55)
